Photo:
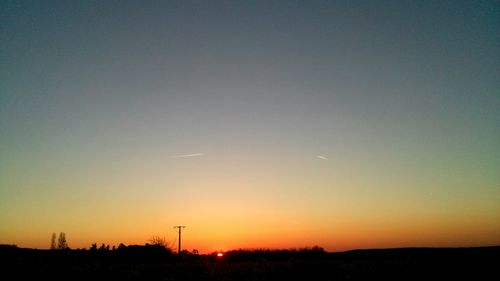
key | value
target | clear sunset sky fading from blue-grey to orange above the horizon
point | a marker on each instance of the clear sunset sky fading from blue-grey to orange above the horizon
(257, 124)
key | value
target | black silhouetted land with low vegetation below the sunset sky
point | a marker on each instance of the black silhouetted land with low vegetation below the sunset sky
(157, 263)
